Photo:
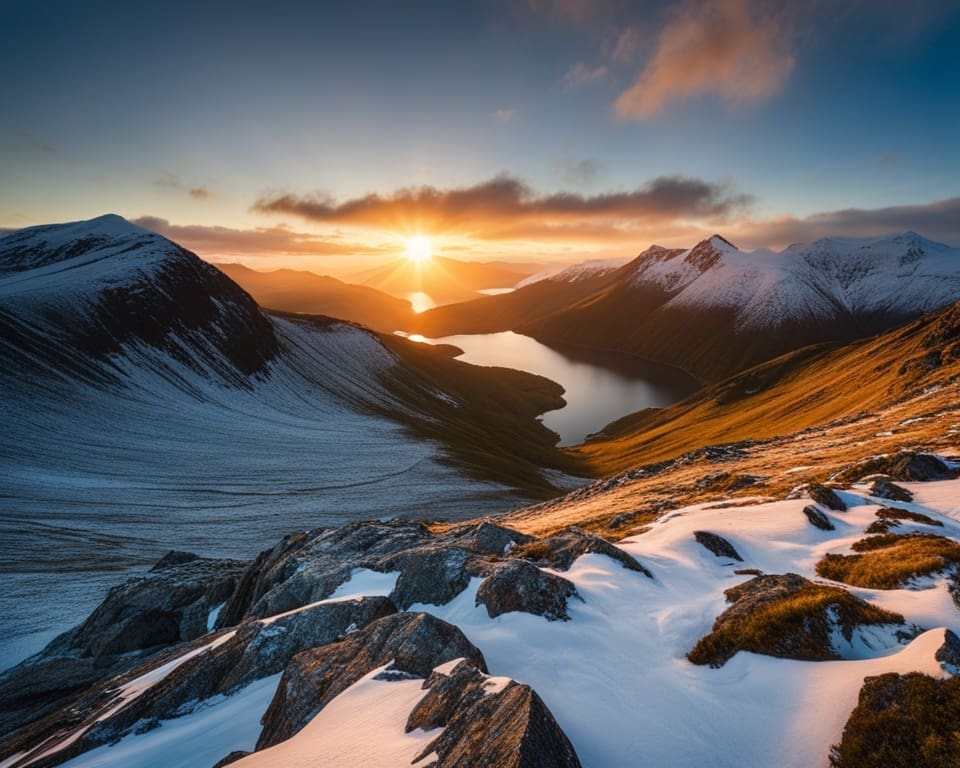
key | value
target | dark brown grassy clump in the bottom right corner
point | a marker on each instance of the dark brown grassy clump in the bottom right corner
(902, 720)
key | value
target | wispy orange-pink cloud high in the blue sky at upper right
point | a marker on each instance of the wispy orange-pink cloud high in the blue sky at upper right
(724, 47)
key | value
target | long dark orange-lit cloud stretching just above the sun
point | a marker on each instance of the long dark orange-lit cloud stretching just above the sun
(488, 207)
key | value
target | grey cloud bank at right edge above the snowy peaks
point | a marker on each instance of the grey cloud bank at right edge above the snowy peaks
(938, 220)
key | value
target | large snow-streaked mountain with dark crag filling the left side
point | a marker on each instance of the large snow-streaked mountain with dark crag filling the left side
(149, 403)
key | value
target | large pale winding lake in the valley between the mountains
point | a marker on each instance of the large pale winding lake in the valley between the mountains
(599, 386)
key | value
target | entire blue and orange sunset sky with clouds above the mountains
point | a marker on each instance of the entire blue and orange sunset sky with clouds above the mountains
(324, 135)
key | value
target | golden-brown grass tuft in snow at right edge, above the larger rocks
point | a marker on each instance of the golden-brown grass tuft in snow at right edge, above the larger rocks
(889, 561)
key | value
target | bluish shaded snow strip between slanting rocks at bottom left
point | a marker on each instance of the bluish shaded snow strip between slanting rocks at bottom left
(216, 728)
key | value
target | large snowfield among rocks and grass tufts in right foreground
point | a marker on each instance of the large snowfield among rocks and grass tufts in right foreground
(616, 676)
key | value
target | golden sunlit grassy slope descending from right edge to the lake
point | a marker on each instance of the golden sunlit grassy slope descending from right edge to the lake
(809, 387)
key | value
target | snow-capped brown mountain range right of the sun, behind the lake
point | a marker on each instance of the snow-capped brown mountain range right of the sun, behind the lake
(715, 310)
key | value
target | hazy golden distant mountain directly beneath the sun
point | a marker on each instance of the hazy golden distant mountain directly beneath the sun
(445, 280)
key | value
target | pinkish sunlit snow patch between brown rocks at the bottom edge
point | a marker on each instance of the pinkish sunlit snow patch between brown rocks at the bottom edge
(363, 727)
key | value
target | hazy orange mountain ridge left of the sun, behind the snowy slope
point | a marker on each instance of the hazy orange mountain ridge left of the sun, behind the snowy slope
(303, 292)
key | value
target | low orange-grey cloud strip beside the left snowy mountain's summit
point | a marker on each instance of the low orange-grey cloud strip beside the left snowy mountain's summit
(267, 241)
